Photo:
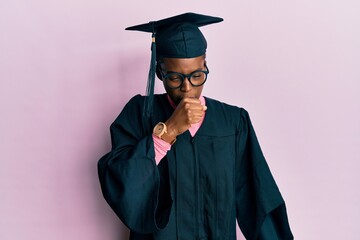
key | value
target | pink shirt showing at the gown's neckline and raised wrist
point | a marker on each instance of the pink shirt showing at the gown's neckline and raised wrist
(161, 147)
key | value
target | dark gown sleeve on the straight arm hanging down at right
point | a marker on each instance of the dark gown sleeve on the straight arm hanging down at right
(260, 208)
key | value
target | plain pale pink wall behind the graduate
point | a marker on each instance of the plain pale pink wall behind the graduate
(68, 67)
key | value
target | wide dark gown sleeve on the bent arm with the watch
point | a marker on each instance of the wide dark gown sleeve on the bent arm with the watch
(133, 185)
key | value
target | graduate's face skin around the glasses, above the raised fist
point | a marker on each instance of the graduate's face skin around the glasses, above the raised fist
(184, 66)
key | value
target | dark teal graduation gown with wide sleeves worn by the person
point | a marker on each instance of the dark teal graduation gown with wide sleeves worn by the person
(200, 187)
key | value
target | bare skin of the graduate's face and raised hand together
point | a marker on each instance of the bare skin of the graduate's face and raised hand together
(189, 109)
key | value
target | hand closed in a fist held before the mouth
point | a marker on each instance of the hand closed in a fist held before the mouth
(188, 111)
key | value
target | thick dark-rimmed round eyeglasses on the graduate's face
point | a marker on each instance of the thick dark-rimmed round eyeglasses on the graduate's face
(175, 80)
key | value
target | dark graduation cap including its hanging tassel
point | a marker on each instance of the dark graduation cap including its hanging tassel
(173, 37)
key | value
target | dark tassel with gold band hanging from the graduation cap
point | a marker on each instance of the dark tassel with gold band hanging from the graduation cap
(149, 99)
